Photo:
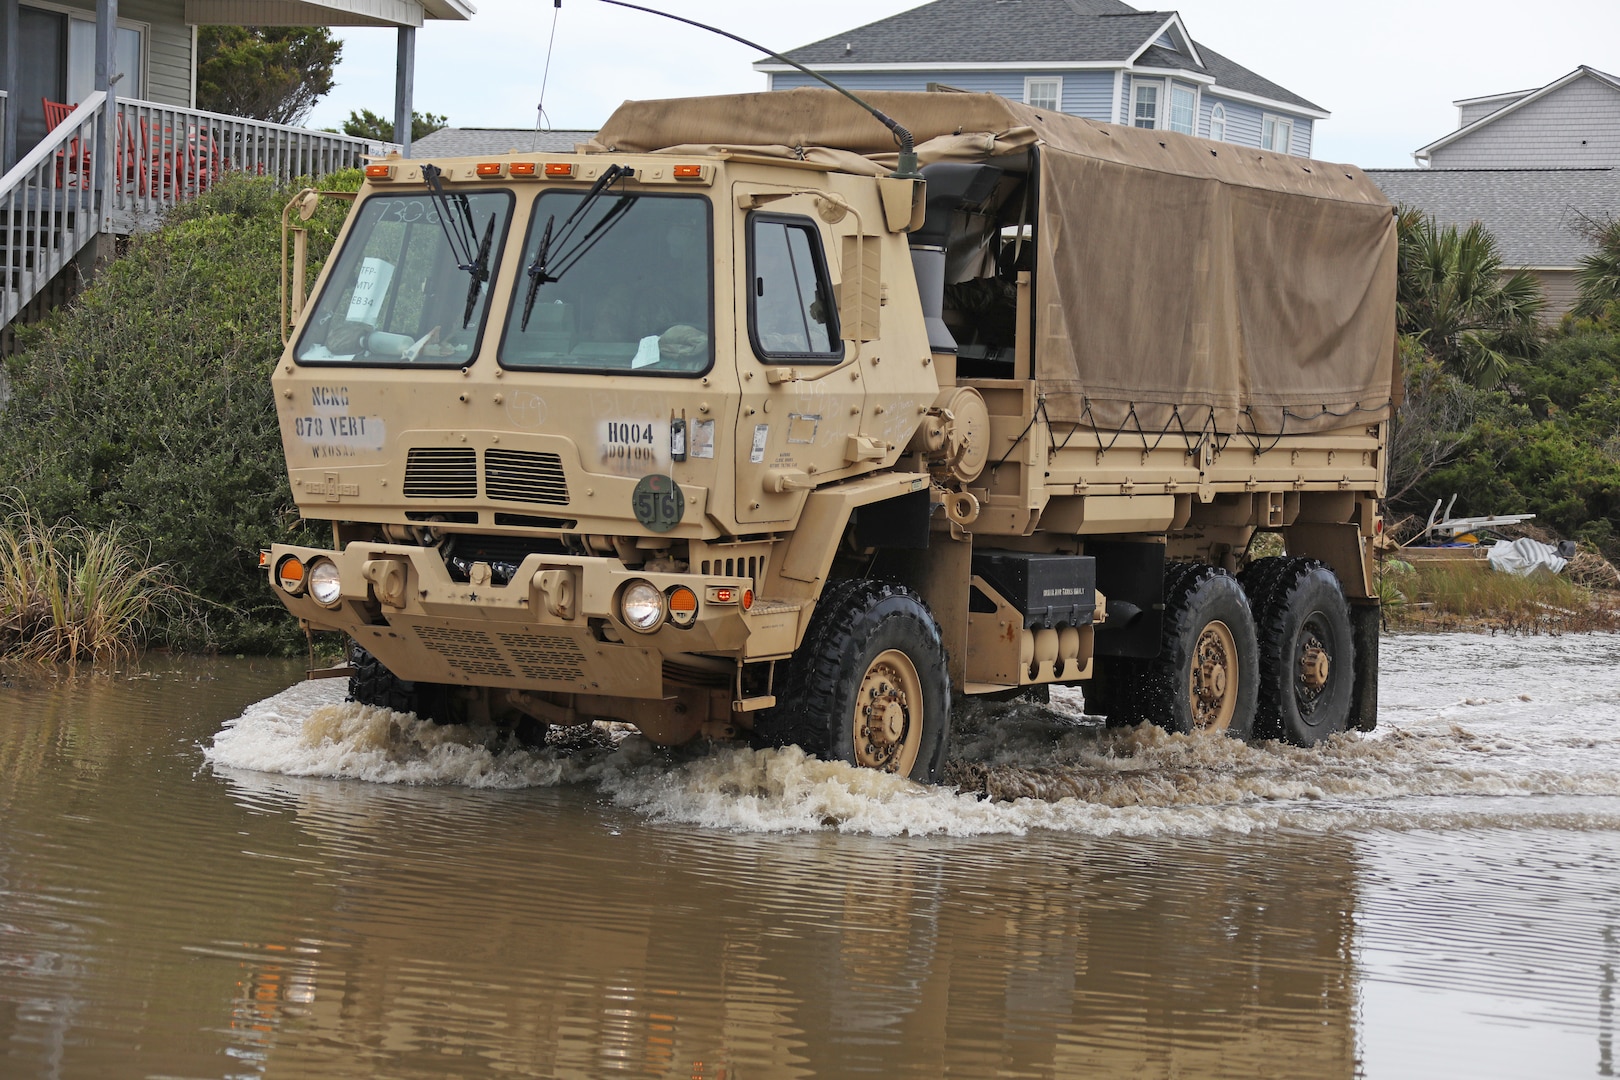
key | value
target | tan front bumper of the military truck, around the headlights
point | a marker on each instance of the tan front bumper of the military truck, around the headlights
(555, 627)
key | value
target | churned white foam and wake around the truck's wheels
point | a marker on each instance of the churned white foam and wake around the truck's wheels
(1021, 768)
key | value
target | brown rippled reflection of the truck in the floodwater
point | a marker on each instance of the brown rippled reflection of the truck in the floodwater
(569, 940)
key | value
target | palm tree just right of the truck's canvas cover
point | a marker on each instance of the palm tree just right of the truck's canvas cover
(1454, 294)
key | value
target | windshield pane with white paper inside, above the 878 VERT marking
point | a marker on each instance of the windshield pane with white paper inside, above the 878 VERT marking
(398, 294)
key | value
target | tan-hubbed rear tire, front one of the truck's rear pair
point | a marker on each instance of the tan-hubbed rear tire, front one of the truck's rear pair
(1206, 676)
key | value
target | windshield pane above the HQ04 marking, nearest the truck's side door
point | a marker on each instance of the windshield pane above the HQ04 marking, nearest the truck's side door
(628, 289)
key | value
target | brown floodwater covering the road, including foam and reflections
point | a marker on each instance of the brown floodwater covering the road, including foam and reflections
(213, 870)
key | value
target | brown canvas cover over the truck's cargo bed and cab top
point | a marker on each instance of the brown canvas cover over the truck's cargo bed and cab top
(1180, 284)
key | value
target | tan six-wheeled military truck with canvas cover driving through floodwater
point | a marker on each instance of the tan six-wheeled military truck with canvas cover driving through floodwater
(722, 428)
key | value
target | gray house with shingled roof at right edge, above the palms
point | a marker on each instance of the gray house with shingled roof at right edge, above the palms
(1537, 168)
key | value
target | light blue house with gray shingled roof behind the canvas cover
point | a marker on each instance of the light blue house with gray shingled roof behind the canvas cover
(1099, 59)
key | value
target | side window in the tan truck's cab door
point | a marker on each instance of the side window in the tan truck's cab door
(791, 308)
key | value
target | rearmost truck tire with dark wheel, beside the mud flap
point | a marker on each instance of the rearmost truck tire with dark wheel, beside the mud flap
(1308, 653)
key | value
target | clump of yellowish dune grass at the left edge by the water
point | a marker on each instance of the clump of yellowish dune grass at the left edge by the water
(70, 593)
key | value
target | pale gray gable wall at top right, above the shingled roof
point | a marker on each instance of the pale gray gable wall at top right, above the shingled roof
(1572, 127)
